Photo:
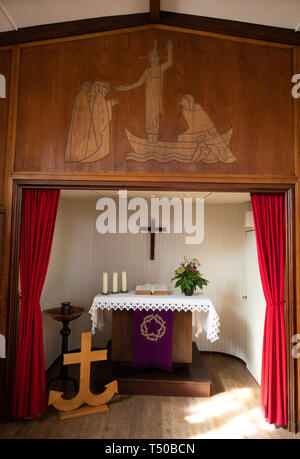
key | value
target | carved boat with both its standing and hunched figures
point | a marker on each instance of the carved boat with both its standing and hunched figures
(200, 142)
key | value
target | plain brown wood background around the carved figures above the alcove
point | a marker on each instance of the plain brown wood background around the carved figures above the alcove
(239, 85)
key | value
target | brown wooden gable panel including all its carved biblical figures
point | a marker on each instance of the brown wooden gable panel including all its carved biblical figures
(155, 101)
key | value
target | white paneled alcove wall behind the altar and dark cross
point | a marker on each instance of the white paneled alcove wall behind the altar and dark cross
(80, 255)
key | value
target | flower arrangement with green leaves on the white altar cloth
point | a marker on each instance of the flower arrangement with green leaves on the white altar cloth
(188, 276)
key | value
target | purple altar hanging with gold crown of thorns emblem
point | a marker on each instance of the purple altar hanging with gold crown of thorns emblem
(152, 339)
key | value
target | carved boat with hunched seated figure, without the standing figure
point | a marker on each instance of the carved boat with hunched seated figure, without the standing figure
(200, 142)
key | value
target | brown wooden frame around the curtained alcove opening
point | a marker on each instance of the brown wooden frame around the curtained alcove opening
(184, 184)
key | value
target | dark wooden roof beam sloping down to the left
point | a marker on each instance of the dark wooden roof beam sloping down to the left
(72, 28)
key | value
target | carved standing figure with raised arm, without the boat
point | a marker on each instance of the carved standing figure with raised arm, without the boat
(153, 78)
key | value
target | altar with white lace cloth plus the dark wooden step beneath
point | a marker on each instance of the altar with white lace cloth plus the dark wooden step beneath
(188, 377)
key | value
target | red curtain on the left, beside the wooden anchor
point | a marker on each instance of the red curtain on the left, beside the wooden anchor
(39, 208)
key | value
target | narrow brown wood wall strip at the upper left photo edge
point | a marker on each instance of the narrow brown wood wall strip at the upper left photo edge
(5, 69)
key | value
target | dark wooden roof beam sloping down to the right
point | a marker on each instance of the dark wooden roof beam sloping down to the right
(232, 28)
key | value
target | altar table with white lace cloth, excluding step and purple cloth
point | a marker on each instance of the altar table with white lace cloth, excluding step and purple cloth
(188, 313)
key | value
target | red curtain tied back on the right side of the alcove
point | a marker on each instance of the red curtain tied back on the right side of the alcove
(269, 219)
